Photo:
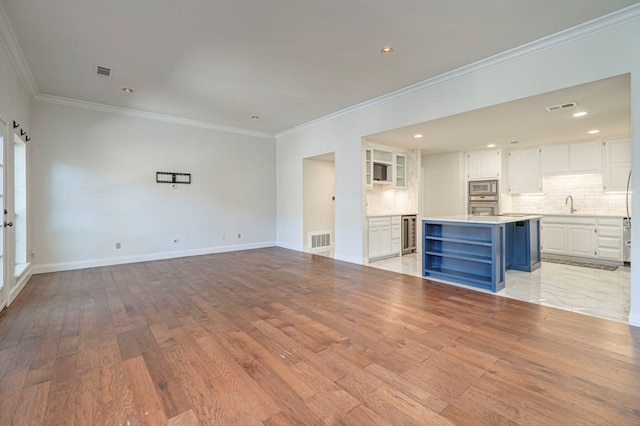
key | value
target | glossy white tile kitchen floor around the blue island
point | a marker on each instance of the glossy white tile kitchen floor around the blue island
(596, 292)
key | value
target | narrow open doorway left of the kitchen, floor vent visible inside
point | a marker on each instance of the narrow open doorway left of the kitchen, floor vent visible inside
(319, 204)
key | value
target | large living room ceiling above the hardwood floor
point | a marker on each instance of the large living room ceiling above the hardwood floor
(286, 62)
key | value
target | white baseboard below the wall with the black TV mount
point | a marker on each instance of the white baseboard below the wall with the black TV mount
(93, 263)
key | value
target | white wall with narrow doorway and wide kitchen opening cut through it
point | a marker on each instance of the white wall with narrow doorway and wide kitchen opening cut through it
(610, 51)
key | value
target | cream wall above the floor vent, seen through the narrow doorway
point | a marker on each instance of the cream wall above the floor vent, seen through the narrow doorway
(319, 187)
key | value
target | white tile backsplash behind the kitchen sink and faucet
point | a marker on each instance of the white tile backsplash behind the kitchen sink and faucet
(586, 190)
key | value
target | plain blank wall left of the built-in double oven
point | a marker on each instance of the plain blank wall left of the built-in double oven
(444, 184)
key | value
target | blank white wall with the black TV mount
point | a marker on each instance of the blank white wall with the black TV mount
(93, 184)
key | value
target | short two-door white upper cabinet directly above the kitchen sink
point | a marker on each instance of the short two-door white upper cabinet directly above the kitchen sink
(578, 157)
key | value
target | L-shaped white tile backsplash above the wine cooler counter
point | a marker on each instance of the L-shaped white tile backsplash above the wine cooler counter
(383, 199)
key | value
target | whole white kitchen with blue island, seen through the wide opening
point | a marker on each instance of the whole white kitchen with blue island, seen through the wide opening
(570, 191)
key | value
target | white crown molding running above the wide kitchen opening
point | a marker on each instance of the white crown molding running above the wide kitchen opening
(622, 16)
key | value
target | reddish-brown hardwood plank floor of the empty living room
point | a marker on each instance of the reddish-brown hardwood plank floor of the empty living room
(277, 337)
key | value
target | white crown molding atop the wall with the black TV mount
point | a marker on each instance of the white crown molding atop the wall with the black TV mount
(94, 106)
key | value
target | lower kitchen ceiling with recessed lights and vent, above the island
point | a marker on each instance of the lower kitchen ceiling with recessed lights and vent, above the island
(525, 122)
